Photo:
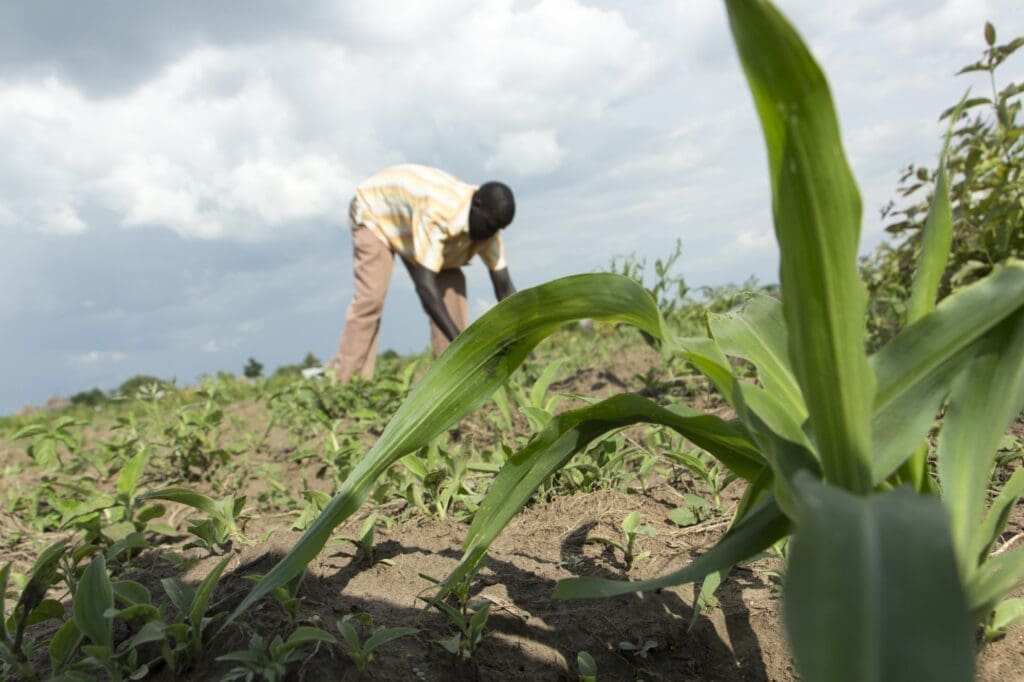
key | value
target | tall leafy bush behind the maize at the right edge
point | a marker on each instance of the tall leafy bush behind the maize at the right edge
(986, 161)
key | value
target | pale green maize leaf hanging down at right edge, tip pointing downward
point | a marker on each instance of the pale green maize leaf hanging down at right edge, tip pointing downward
(987, 399)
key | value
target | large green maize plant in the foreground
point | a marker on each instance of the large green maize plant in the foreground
(886, 580)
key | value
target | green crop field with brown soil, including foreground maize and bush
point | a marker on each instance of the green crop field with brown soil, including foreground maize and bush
(607, 477)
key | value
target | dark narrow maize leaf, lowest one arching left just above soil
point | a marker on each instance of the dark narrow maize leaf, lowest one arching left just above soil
(761, 528)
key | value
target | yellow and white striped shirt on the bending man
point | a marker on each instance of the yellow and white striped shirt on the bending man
(422, 215)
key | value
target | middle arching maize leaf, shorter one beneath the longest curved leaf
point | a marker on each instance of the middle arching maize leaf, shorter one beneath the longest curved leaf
(572, 433)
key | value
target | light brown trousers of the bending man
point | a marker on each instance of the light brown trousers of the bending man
(372, 266)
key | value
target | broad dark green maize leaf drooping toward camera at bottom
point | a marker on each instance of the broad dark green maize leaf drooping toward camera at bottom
(879, 575)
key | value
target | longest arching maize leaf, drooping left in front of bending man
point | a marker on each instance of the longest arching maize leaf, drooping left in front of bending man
(464, 377)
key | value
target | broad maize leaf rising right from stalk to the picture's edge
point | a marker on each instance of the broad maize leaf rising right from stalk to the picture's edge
(916, 370)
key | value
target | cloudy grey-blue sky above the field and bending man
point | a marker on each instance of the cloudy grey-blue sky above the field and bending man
(175, 175)
